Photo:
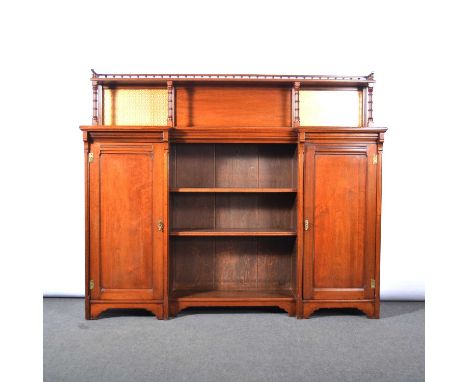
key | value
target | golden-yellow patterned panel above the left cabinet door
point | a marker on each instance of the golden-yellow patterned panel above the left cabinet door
(141, 107)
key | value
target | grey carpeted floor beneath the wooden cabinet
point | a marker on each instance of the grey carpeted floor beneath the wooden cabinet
(233, 345)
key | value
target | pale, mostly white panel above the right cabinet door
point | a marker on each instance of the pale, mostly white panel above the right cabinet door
(330, 107)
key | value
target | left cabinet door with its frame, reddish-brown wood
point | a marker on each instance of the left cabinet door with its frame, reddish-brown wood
(126, 204)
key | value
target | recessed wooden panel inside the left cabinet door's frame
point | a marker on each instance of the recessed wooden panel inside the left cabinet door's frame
(126, 238)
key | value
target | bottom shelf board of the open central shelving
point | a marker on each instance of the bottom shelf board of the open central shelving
(228, 295)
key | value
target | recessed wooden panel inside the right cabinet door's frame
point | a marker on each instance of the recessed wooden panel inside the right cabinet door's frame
(339, 221)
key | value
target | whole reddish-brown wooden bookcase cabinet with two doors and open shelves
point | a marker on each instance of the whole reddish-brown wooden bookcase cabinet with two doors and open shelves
(232, 190)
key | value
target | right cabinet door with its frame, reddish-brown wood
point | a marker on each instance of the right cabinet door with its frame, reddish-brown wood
(340, 206)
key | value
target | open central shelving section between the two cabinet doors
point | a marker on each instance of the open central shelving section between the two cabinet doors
(232, 223)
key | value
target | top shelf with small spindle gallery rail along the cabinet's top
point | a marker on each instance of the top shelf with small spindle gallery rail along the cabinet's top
(304, 79)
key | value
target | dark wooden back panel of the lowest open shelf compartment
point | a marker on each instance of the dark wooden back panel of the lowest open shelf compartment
(232, 263)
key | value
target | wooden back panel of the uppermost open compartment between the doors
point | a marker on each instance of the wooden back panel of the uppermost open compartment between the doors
(233, 166)
